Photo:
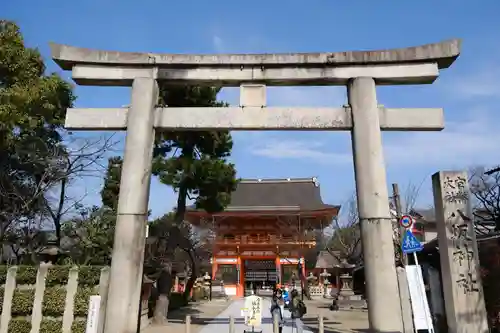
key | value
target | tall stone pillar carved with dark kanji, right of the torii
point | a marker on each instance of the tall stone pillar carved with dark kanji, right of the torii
(463, 293)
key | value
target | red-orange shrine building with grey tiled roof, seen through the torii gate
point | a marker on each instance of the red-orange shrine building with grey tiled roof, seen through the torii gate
(261, 236)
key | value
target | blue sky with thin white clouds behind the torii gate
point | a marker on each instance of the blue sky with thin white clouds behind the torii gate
(469, 91)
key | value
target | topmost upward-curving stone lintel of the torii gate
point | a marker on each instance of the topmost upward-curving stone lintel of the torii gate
(443, 54)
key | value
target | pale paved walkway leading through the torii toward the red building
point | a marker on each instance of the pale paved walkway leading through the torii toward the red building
(220, 324)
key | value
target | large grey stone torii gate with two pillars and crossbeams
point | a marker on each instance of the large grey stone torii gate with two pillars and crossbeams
(360, 71)
